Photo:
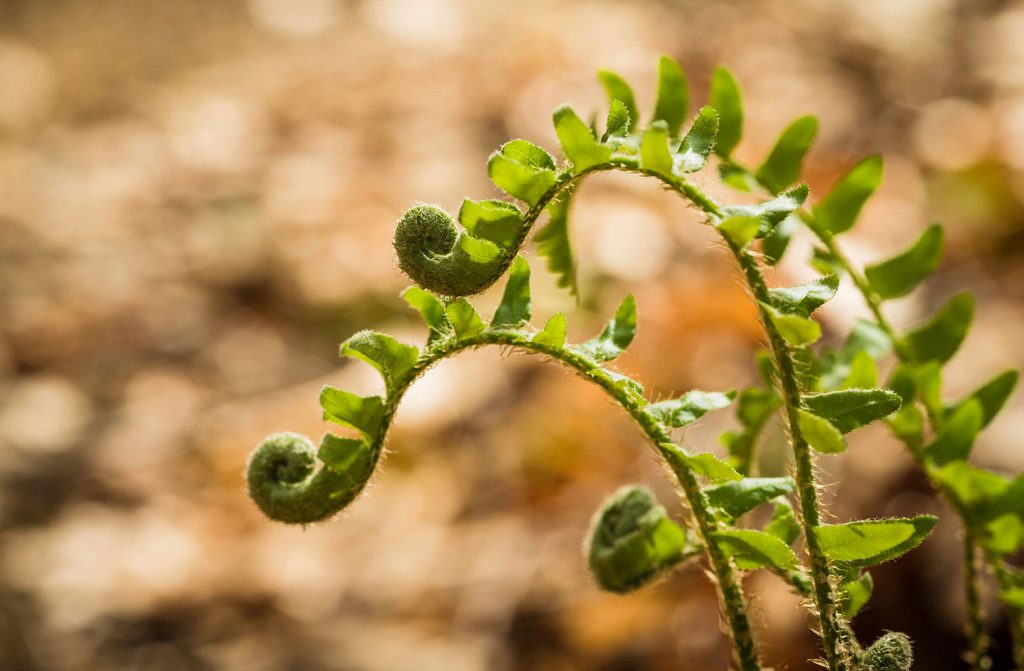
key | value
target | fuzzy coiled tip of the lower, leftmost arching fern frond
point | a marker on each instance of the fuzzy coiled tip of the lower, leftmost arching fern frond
(284, 483)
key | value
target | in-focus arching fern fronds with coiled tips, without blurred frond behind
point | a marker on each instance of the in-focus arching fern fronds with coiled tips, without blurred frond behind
(632, 540)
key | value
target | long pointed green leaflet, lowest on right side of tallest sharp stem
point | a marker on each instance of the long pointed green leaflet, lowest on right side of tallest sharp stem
(874, 541)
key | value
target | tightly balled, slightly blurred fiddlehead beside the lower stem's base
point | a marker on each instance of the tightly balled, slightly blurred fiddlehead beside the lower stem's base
(632, 541)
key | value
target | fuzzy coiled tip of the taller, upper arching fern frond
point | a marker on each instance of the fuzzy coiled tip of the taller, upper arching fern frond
(440, 258)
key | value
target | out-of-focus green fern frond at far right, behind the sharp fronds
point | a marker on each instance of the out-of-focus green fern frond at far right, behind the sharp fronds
(938, 434)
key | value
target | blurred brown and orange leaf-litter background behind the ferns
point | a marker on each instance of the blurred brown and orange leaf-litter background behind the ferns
(197, 202)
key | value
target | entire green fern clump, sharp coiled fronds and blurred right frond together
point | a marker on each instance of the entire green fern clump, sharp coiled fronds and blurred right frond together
(821, 394)
